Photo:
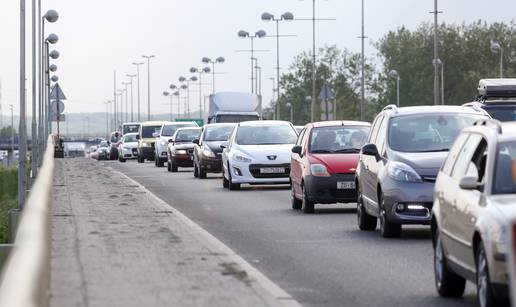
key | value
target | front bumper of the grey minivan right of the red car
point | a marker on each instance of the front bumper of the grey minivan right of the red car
(415, 198)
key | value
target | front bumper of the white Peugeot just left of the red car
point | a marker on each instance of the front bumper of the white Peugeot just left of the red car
(249, 173)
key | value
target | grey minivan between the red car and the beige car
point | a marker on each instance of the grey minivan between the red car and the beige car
(397, 168)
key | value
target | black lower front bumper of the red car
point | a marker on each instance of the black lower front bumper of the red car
(324, 190)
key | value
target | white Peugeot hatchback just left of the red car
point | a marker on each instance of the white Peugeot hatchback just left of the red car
(258, 152)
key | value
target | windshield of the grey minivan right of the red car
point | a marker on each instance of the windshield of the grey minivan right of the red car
(427, 132)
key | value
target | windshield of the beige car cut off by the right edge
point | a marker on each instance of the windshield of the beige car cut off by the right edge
(505, 170)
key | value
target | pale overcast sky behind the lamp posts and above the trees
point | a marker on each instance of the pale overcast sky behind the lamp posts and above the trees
(97, 37)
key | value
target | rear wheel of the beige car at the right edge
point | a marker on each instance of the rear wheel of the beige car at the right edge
(447, 283)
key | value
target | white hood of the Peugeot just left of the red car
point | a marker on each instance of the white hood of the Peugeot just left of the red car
(261, 153)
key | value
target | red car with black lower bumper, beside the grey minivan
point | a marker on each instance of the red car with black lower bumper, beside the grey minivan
(324, 162)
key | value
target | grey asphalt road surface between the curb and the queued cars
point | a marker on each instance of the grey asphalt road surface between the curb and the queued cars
(320, 259)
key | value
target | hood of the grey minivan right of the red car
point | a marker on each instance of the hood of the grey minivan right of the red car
(424, 163)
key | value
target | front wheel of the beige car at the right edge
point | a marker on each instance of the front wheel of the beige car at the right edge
(485, 293)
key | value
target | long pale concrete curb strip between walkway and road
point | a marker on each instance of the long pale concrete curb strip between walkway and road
(265, 288)
